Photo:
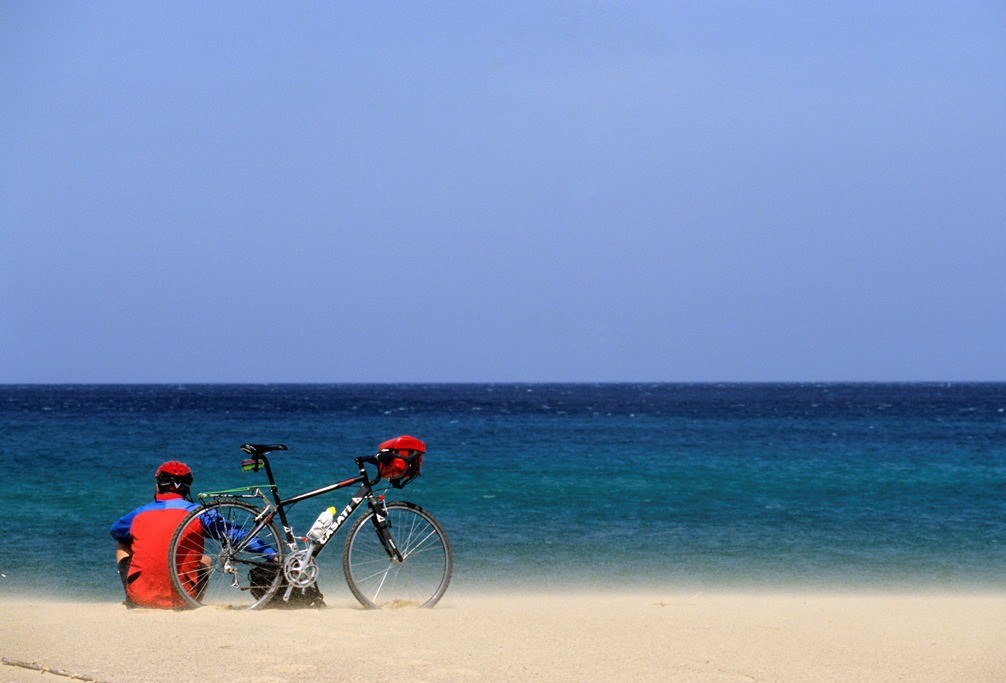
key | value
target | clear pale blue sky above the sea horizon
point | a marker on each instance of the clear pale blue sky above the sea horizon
(589, 192)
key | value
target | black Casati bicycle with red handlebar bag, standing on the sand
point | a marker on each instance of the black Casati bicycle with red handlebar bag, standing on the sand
(230, 553)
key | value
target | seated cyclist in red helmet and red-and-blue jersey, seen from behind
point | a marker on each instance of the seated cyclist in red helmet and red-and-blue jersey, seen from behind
(143, 538)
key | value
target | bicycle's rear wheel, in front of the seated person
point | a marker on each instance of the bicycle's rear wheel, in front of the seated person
(221, 556)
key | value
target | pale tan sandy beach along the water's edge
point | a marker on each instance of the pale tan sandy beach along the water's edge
(562, 637)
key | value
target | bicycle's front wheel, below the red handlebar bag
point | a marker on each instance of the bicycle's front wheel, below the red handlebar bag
(379, 580)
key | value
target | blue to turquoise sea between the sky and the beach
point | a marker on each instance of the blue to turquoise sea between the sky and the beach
(686, 486)
